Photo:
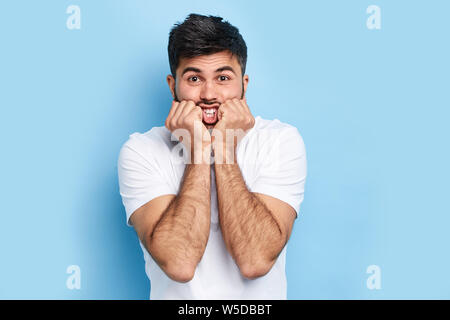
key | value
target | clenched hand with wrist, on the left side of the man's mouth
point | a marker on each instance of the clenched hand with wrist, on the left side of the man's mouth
(185, 123)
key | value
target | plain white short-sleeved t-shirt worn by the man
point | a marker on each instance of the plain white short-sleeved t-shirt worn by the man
(272, 159)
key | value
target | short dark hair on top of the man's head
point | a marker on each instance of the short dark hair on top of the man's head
(202, 35)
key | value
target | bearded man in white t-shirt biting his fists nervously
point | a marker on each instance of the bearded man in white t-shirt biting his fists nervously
(215, 225)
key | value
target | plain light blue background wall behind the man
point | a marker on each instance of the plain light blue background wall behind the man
(372, 107)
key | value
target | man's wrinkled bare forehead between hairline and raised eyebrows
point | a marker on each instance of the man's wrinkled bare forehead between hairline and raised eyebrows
(211, 62)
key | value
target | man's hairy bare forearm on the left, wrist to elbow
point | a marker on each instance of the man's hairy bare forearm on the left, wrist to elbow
(181, 235)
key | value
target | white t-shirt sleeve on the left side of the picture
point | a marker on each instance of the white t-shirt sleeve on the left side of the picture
(140, 177)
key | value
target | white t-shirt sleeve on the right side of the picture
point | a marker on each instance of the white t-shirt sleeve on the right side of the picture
(282, 173)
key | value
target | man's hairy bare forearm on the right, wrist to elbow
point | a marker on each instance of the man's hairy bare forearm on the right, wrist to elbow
(250, 232)
